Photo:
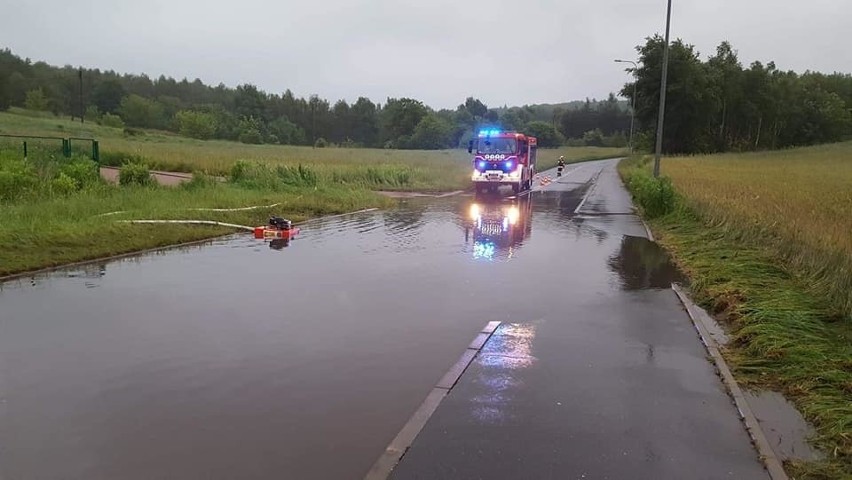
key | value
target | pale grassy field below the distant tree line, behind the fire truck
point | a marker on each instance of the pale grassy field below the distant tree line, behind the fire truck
(412, 170)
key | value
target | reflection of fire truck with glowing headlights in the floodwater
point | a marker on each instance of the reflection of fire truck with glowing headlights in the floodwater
(497, 229)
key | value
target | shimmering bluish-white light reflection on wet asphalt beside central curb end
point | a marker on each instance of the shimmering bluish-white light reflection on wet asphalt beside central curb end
(507, 351)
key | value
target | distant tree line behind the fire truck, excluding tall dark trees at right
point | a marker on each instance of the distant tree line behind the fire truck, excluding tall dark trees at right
(250, 115)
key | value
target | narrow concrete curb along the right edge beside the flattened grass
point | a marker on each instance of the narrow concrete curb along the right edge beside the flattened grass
(771, 462)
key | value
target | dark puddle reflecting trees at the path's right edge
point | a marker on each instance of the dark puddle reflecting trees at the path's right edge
(642, 264)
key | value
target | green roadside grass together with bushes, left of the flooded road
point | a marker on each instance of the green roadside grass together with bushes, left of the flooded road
(57, 214)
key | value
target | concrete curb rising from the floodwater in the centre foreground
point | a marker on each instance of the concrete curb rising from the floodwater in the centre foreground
(394, 452)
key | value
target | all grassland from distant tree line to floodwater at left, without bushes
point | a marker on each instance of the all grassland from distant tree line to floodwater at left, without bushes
(50, 206)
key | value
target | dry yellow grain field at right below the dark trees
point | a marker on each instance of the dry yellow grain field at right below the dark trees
(799, 201)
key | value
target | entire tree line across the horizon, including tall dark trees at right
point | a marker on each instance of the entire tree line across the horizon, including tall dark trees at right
(713, 105)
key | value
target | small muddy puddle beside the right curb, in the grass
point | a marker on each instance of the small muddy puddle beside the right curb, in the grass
(785, 428)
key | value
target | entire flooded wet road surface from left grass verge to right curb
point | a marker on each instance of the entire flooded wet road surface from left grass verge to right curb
(237, 360)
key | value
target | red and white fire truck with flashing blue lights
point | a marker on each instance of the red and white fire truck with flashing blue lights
(502, 158)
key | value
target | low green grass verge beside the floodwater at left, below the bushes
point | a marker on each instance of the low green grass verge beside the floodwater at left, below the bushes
(64, 229)
